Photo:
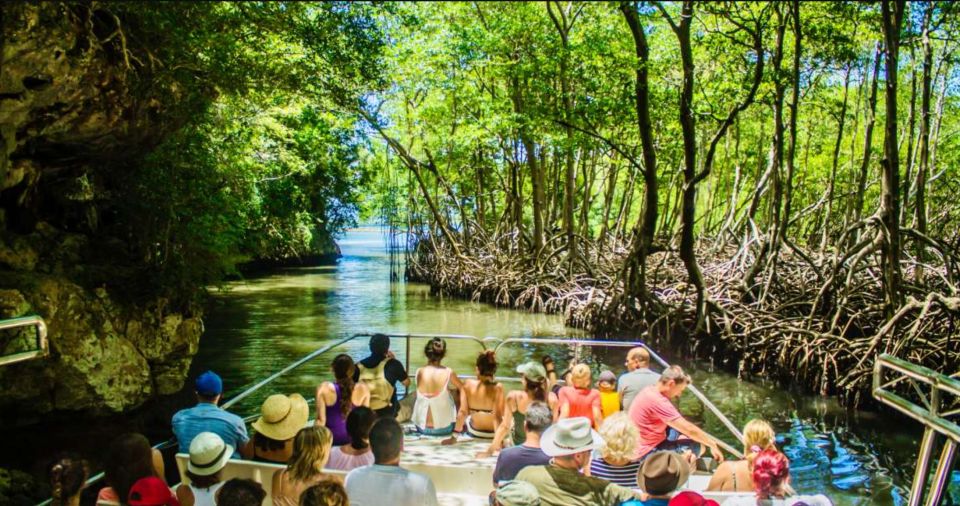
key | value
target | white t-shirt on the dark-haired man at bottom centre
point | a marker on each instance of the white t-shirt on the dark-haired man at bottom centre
(377, 485)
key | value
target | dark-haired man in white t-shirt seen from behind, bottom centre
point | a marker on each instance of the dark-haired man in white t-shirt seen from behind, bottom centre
(385, 482)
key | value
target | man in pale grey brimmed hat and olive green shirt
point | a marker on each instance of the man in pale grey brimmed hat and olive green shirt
(560, 483)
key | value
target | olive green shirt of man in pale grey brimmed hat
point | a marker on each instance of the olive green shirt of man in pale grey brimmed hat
(566, 487)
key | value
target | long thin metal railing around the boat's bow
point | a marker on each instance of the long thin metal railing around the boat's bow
(484, 343)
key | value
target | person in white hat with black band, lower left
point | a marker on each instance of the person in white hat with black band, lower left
(208, 455)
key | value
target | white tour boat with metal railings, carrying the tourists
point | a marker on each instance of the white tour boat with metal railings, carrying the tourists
(462, 479)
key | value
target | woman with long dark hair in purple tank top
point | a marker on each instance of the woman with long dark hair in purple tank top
(335, 400)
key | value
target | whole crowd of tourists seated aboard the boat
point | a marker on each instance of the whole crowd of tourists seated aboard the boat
(622, 443)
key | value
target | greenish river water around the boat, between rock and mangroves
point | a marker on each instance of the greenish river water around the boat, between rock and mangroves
(256, 327)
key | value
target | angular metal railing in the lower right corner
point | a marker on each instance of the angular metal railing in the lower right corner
(932, 390)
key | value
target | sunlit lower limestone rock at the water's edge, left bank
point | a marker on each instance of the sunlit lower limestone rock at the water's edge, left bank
(102, 359)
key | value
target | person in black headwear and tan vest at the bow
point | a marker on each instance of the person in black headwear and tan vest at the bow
(381, 372)
